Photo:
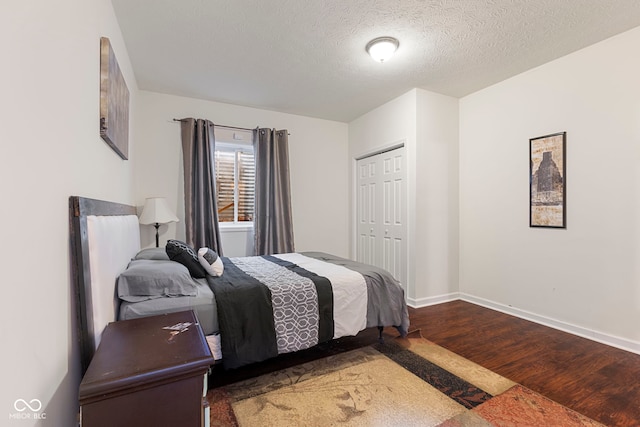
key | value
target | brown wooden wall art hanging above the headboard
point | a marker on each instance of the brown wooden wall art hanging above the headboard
(114, 102)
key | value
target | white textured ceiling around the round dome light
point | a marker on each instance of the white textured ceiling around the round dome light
(307, 57)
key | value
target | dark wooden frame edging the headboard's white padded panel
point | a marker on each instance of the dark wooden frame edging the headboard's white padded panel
(79, 209)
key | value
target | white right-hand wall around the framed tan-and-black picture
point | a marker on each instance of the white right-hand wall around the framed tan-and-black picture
(586, 278)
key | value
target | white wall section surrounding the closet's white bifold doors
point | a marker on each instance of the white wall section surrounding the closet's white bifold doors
(427, 123)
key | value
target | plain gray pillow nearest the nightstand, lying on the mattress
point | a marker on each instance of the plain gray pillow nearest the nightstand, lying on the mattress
(149, 279)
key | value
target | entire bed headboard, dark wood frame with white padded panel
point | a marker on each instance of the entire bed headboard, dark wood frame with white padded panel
(94, 311)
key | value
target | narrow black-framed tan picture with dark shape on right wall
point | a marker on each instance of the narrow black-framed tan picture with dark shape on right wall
(547, 181)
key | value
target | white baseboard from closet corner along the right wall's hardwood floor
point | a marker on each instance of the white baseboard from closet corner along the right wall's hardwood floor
(610, 340)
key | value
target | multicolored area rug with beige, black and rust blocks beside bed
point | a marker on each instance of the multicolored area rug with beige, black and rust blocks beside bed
(401, 382)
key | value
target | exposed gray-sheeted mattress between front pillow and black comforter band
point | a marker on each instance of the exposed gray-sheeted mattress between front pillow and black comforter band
(203, 305)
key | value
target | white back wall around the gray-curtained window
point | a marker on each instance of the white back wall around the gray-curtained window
(317, 155)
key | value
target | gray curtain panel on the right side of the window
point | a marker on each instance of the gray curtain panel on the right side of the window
(273, 225)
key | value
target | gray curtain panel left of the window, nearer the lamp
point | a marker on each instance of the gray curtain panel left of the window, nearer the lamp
(200, 205)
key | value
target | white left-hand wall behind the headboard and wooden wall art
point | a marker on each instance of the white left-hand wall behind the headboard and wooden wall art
(50, 149)
